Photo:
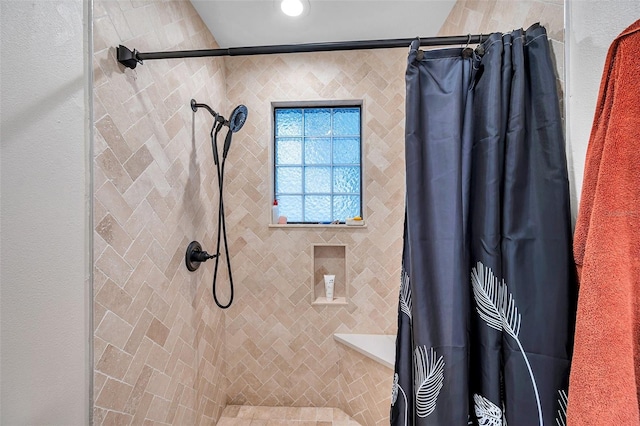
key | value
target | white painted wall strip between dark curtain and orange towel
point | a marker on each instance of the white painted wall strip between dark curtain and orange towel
(593, 25)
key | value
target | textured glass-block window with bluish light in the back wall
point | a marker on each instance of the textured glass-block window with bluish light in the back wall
(318, 174)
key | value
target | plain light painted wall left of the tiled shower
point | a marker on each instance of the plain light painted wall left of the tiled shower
(44, 213)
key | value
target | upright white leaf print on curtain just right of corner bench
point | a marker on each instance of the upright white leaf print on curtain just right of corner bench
(429, 378)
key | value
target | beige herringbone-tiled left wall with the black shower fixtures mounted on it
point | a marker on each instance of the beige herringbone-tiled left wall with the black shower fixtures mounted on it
(158, 341)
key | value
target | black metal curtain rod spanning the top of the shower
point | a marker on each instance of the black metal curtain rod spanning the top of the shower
(130, 58)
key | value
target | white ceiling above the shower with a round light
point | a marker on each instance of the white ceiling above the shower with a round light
(242, 23)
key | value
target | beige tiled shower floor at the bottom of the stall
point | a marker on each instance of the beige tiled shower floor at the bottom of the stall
(244, 415)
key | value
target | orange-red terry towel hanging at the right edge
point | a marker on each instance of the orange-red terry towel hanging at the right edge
(604, 385)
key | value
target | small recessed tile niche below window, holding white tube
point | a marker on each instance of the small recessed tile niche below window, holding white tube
(330, 259)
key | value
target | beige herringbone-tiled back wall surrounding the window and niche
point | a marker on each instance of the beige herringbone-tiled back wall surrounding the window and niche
(280, 348)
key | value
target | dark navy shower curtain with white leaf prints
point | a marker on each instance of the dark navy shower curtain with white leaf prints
(487, 297)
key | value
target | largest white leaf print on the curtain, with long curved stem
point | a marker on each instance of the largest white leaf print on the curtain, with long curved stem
(496, 307)
